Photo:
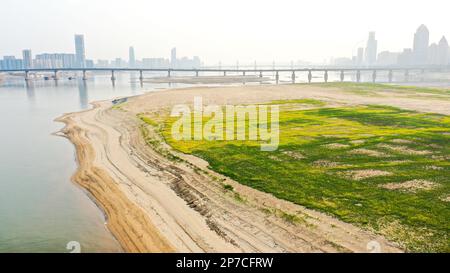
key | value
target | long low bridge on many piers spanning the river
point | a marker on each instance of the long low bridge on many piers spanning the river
(405, 71)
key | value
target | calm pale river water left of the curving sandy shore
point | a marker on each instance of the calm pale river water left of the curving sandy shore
(41, 210)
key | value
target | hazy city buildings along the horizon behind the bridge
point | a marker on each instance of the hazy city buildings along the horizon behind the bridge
(422, 52)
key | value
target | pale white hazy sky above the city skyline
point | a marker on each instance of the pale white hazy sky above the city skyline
(230, 30)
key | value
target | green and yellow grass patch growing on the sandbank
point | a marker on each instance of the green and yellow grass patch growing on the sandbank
(350, 162)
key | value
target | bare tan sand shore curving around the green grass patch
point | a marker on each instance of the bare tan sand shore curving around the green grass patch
(157, 205)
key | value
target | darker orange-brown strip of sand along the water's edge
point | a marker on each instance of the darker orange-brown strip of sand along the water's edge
(131, 227)
